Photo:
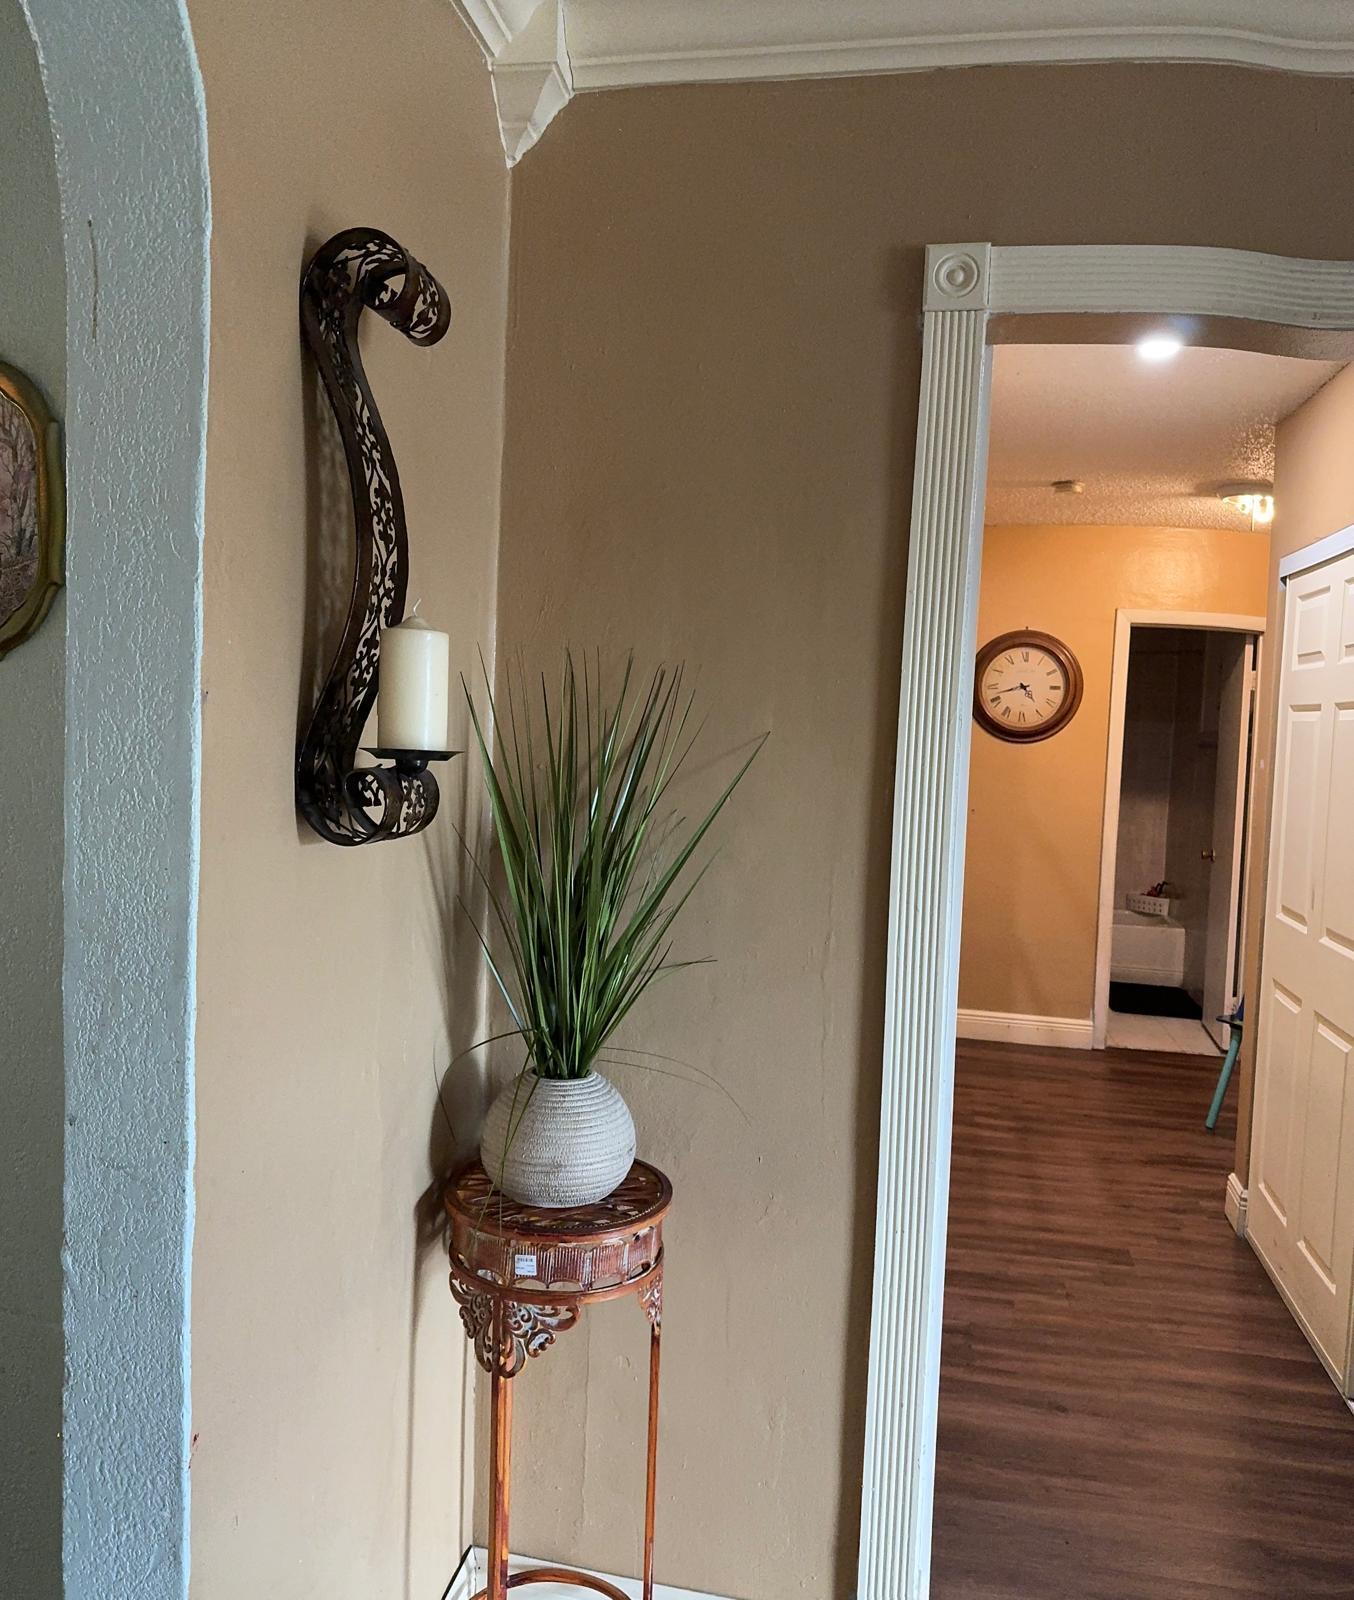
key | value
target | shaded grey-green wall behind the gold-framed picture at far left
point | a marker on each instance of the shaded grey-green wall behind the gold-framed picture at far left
(33, 678)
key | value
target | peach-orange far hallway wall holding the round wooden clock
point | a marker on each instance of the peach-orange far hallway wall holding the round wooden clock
(1036, 812)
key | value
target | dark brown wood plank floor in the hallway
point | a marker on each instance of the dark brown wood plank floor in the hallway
(1128, 1410)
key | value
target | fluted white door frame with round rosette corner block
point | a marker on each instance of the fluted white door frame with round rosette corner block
(966, 286)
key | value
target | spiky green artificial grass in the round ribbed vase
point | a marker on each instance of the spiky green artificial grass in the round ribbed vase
(595, 865)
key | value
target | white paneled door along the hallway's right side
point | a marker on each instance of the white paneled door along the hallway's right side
(1302, 1177)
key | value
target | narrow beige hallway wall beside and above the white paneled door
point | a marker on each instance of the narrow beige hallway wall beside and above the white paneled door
(1313, 498)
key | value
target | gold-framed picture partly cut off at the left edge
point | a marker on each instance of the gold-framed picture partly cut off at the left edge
(33, 510)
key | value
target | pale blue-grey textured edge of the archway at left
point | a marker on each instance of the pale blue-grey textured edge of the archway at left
(126, 106)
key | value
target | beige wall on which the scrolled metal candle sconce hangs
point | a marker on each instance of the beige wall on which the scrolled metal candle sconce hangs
(327, 1361)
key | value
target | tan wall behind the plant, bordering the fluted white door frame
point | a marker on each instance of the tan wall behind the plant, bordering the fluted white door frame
(713, 386)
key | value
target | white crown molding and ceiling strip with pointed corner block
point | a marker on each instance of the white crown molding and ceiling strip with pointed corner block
(543, 52)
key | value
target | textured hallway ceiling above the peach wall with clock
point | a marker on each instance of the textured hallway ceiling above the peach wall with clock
(1152, 442)
